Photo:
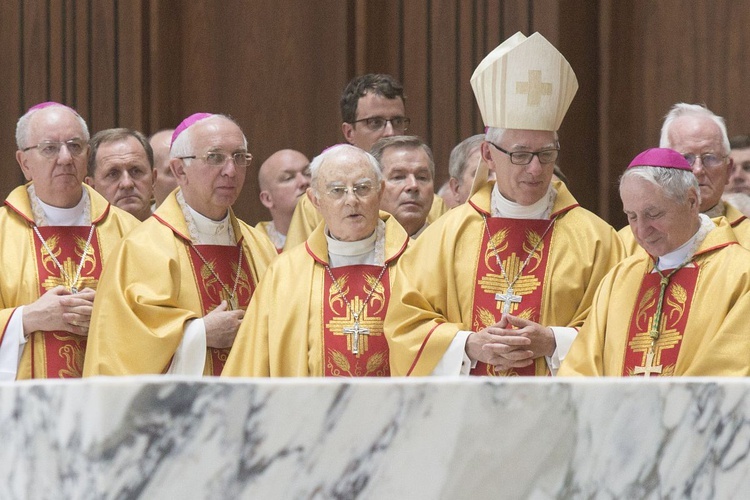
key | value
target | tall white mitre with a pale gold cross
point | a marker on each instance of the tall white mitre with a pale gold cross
(525, 83)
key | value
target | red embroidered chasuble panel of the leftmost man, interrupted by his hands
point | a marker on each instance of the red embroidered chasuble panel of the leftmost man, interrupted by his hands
(58, 354)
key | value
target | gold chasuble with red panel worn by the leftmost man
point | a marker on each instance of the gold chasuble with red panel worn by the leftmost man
(32, 267)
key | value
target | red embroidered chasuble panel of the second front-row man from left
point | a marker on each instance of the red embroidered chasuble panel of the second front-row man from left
(223, 260)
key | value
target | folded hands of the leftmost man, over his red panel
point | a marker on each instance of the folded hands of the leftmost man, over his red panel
(60, 310)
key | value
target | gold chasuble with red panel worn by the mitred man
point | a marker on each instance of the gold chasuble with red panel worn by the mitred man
(450, 279)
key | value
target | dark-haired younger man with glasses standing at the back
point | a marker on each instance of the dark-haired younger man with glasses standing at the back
(372, 107)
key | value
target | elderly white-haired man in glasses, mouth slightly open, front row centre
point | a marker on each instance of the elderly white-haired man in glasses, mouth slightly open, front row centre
(330, 323)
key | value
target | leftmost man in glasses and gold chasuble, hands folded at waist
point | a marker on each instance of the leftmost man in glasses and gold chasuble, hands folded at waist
(56, 234)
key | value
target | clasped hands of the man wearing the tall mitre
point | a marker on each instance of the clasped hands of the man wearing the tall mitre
(512, 342)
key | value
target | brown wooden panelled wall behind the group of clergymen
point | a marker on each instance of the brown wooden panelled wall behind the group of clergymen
(279, 66)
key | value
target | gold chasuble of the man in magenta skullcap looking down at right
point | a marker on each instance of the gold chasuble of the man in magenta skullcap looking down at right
(703, 329)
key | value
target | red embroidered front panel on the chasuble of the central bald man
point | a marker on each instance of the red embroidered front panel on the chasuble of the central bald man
(356, 283)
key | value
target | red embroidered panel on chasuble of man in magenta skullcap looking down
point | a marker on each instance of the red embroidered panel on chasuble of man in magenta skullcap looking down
(675, 312)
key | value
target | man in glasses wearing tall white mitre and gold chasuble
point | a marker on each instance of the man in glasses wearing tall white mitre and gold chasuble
(500, 284)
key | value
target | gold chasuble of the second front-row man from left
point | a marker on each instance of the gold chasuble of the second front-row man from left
(156, 281)
